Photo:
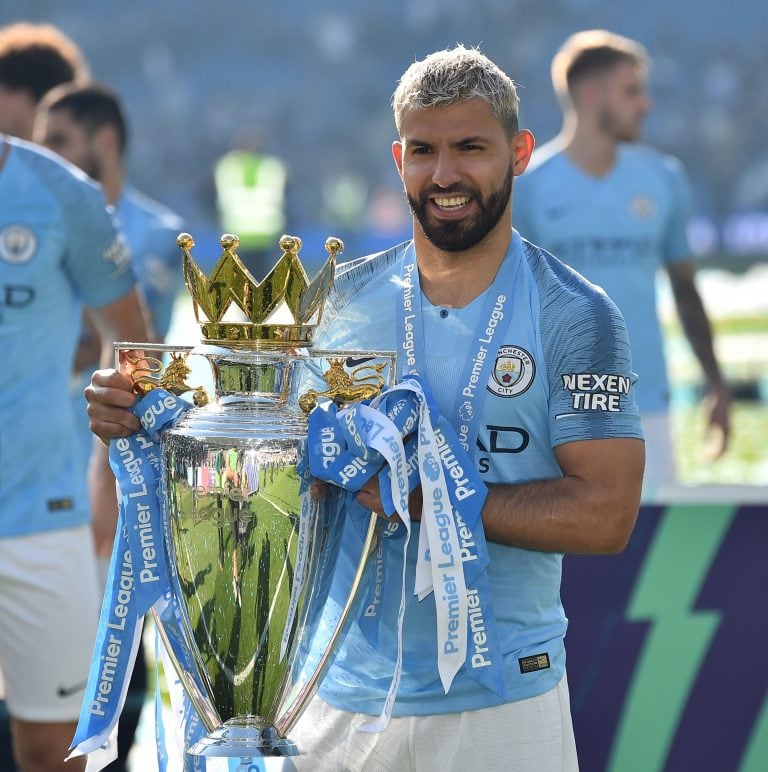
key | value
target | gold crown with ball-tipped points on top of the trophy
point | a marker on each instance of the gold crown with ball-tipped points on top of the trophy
(282, 310)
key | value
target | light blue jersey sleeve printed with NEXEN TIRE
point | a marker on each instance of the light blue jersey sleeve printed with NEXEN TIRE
(588, 361)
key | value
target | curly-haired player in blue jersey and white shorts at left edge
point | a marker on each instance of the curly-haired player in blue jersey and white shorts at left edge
(59, 250)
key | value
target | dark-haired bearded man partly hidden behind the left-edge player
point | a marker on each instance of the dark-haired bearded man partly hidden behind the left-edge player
(85, 124)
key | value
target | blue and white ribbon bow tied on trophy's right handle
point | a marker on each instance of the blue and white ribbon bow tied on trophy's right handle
(349, 446)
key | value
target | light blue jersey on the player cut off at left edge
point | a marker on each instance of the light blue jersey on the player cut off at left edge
(58, 250)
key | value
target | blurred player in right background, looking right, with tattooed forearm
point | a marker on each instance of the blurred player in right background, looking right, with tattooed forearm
(616, 211)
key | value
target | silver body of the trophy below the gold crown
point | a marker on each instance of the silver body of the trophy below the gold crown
(252, 556)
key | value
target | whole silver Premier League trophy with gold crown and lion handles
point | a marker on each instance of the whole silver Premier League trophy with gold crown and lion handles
(251, 553)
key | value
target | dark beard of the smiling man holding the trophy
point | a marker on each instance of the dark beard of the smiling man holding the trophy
(460, 235)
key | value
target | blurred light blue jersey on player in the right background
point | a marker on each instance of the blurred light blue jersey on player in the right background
(617, 231)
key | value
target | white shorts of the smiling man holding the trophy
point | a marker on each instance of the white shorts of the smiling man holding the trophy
(533, 735)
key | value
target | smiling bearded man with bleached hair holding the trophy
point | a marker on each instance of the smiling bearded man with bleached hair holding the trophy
(500, 330)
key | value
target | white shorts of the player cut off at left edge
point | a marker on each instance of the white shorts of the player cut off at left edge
(49, 610)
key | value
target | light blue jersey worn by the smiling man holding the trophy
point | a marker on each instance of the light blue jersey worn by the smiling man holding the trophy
(567, 346)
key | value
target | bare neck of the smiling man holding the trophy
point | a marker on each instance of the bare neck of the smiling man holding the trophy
(455, 279)
